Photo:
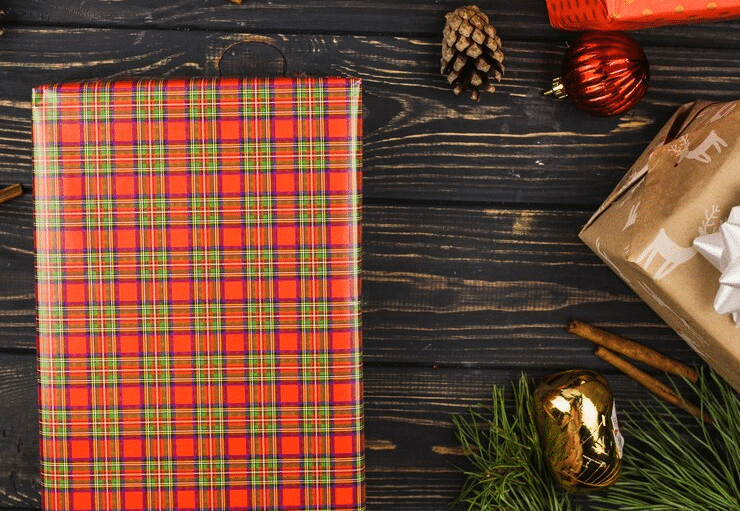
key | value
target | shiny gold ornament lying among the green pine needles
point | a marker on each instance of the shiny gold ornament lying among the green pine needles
(576, 421)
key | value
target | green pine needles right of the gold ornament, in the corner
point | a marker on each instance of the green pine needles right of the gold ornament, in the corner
(673, 464)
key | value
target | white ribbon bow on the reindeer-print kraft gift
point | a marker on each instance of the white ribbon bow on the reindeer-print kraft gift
(722, 249)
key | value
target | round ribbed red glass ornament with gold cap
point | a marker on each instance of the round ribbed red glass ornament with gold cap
(604, 73)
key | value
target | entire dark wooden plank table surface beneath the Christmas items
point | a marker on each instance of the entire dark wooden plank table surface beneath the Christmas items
(471, 261)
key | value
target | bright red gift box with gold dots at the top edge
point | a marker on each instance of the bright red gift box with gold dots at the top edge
(636, 14)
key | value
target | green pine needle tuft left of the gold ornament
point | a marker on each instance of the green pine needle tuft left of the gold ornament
(508, 471)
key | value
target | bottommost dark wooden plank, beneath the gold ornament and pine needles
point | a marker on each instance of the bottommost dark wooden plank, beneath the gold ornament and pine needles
(410, 452)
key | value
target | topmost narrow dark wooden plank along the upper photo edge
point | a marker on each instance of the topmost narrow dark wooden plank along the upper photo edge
(525, 20)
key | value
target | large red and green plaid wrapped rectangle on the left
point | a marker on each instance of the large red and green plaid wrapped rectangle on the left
(198, 294)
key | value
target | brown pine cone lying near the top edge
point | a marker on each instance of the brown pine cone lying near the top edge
(471, 51)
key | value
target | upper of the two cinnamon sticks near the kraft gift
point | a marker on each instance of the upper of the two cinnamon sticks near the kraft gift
(631, 349)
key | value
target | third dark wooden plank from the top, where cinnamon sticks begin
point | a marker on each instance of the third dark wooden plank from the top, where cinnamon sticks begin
(442, 286)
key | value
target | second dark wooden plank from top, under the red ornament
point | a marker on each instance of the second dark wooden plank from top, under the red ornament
(421, 142)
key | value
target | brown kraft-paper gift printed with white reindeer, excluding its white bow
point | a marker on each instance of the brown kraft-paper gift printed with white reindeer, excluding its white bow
(683, 186)
